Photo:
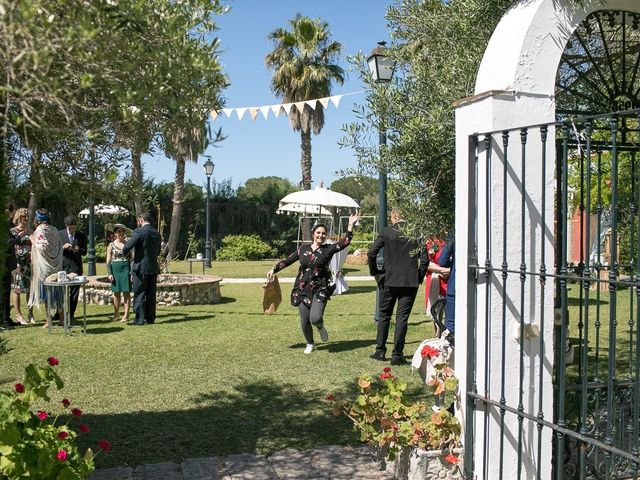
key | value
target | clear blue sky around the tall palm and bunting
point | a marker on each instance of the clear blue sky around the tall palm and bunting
(270, 147)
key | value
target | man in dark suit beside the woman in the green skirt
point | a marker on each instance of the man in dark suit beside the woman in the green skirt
(144, 269)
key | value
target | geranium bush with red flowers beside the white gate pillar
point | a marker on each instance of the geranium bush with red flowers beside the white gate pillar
(387, 419)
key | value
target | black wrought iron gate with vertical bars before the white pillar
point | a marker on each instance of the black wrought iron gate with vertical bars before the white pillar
(593, 286)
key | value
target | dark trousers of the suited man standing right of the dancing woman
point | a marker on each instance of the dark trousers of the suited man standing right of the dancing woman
(404, 296)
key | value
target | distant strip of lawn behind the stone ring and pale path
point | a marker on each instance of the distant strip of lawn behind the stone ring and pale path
(250, 269)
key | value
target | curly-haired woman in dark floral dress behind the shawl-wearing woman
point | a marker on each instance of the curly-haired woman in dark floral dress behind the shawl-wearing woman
(22, 274)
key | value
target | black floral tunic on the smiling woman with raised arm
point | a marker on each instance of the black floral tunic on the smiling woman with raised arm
(314, 275)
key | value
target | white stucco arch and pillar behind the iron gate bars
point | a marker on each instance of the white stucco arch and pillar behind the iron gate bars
(515, 87)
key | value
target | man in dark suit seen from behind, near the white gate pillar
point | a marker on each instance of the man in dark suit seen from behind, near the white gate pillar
(405, 265)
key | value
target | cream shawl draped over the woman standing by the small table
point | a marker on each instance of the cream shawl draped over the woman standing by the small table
(46, 258)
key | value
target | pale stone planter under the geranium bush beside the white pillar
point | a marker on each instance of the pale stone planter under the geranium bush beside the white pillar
(416, 464)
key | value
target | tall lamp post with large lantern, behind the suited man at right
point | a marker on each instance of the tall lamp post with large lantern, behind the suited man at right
(381, 68)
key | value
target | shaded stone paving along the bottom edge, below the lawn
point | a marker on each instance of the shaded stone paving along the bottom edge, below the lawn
(324, 463)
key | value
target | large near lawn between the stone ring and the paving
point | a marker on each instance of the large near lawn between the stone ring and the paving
(212, 380)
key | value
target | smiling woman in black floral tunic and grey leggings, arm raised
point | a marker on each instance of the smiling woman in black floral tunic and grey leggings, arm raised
(312, 288)
